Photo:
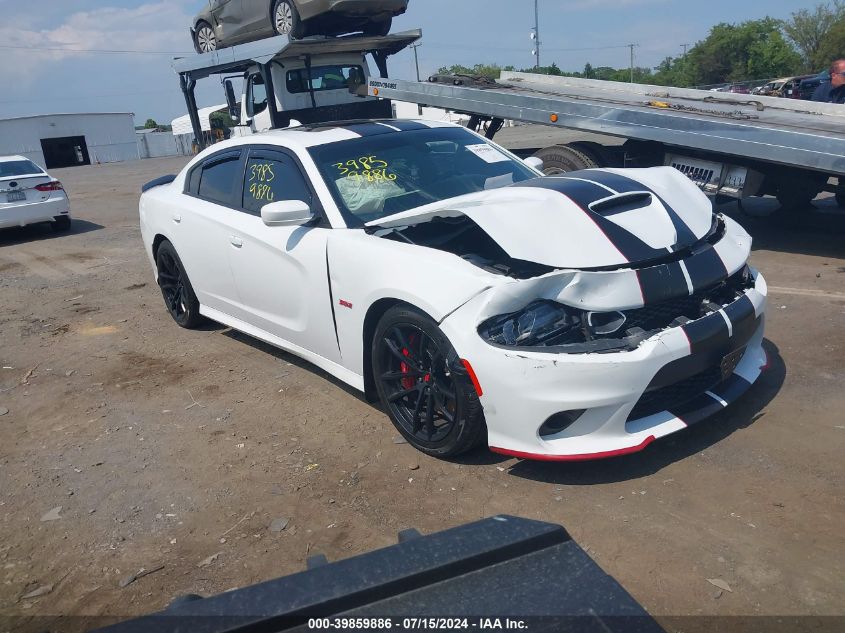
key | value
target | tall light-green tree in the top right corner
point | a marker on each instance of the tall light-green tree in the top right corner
(815, 33)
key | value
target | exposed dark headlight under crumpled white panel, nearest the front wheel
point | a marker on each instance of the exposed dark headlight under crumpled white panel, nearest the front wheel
(540, 323)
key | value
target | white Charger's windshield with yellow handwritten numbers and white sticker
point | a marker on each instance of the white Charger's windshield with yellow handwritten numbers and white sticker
(386, 173)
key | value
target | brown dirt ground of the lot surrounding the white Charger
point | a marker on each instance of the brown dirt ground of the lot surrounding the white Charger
(174, 448)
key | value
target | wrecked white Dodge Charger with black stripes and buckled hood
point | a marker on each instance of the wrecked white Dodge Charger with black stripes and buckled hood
(557, 318)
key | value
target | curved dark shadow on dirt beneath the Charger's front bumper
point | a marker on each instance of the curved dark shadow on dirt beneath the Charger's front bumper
(748, 410)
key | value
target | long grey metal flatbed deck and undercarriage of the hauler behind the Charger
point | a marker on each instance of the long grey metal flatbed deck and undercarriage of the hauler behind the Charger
(729, 144)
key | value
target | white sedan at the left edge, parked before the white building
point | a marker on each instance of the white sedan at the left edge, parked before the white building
(29, 195)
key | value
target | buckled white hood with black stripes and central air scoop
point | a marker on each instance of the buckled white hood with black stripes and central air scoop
(586, 219)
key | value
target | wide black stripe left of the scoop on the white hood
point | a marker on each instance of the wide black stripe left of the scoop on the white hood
(629, 245)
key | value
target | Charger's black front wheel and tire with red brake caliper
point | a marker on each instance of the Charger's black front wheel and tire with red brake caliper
(423, 385)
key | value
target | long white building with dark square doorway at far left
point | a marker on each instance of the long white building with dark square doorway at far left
(66, 140)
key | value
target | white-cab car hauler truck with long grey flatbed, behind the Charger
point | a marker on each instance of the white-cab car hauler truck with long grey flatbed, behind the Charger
(729, 144)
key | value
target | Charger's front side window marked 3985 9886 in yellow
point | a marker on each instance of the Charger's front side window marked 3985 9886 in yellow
(272, 177)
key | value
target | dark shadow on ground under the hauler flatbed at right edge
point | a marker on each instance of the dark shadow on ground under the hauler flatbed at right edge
(818, 230)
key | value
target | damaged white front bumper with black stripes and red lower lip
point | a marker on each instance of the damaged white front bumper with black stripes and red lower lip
(616, 402)
